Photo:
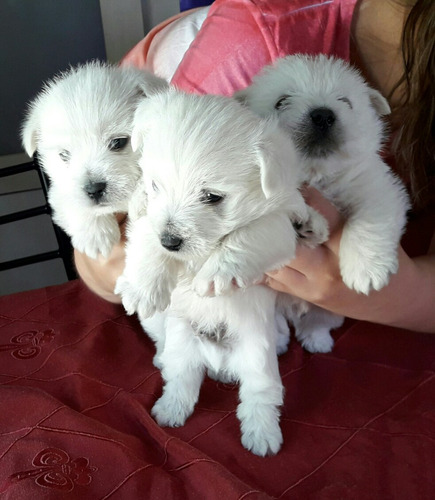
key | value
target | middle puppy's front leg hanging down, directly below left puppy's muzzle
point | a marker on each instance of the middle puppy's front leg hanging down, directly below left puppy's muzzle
(149, 276)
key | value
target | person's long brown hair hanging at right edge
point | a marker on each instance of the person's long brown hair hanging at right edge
(413, 118)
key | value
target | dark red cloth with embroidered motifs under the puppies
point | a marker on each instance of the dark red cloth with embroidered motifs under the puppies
(77, 384)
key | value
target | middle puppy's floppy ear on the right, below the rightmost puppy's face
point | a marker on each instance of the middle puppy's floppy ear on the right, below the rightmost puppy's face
(279, 164)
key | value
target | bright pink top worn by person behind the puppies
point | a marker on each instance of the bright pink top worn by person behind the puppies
(239, 37)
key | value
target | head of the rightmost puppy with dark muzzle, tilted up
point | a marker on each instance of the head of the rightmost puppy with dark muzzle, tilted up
(324, 104)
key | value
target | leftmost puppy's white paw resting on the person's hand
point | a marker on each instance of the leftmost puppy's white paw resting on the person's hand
(99, 237)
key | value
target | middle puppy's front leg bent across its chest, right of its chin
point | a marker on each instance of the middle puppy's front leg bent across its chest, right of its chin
(246, 254)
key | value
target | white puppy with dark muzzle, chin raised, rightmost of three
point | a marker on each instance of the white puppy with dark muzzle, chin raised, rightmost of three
(333, 117)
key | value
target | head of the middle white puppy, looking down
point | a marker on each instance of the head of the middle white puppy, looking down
(209, 167)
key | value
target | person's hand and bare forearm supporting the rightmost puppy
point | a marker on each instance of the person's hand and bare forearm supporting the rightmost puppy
(406, 302)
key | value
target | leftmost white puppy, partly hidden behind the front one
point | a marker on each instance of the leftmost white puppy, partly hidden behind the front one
(80, 125)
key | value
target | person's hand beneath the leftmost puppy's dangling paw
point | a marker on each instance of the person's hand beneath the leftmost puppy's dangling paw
(100, 274)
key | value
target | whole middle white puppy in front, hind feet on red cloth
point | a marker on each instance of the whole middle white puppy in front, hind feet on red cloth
(222, 191)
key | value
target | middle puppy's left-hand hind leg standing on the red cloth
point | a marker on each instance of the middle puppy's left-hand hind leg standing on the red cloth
(182, 372)
